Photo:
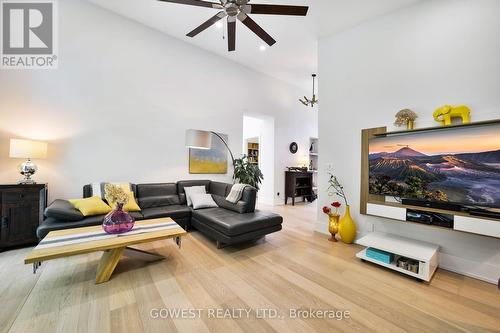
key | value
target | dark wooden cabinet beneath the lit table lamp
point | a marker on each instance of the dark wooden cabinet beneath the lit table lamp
(21, 211)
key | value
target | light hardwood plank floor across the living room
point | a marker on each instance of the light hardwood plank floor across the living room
(292, 269)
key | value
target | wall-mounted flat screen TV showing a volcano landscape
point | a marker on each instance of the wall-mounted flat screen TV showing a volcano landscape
(459, 165)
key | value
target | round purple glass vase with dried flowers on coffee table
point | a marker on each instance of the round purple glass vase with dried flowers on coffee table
(117, 221)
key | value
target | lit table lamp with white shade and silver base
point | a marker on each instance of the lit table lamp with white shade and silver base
(27, 149)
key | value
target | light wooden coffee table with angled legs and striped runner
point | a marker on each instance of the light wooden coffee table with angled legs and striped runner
(70, 242)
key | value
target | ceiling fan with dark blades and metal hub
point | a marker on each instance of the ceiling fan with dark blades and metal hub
(239, 9)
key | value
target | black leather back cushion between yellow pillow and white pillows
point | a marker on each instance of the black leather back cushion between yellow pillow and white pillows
(157, 195)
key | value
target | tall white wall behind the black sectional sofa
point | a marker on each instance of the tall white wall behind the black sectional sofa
(119, 104)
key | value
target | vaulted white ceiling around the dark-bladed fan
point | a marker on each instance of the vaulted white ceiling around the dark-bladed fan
(292, 59)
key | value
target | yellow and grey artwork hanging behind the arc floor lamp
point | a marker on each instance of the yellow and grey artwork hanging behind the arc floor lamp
(209, 161)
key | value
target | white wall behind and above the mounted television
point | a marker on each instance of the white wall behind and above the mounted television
(421, 57)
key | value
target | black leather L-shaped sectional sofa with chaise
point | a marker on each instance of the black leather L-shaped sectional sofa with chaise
(227, 224)
